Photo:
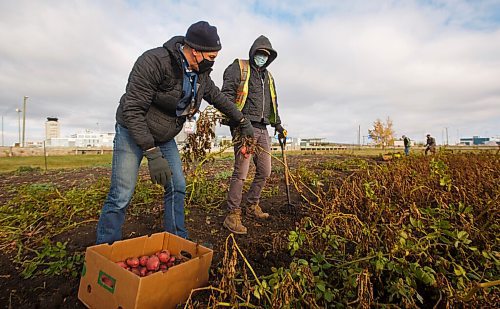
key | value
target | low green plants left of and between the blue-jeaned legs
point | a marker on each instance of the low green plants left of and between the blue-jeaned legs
(39, 211)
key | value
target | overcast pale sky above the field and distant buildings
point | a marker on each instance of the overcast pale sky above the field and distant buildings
(428, 65)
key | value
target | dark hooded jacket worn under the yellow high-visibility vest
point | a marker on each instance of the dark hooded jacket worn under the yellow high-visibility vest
(258, 104)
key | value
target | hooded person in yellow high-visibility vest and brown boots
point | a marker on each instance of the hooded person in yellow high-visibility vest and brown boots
(250, 86)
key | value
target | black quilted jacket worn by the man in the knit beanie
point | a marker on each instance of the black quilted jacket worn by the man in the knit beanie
(147, 109)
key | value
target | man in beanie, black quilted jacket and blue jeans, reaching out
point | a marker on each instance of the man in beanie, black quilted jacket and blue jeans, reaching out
(165, 87)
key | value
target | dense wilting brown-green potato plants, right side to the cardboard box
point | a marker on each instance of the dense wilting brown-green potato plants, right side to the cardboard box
(411, 232)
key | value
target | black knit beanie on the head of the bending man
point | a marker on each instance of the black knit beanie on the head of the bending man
(203, 37)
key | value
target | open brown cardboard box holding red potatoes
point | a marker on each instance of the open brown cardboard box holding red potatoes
(104, 284)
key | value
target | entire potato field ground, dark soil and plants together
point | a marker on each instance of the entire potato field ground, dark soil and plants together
(376, 231)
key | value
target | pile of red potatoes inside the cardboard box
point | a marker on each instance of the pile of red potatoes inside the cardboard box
(146, 265)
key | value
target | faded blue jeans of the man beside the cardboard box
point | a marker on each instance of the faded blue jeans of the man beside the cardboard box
(127, 156)
